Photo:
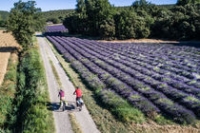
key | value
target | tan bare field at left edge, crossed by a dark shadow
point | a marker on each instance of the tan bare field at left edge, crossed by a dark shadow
(7, 45)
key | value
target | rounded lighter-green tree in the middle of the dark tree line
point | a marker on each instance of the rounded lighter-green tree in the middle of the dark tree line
(132, 25)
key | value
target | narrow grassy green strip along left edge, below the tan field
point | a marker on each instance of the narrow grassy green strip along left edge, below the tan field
(7, 95)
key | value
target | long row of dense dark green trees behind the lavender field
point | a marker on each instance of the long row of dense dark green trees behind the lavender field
(140, 20)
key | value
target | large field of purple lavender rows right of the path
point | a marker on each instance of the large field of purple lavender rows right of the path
(155, 78)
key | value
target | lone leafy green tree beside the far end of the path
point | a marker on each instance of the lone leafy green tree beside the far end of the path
(24, 20)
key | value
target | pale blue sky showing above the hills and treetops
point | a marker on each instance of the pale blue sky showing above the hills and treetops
(47, 5)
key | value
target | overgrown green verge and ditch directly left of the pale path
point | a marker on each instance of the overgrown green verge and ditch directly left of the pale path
(31, 99)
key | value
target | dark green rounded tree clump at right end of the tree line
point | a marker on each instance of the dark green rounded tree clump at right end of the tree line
(182, 23)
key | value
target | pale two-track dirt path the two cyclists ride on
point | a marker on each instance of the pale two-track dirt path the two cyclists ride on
(62, 122)
